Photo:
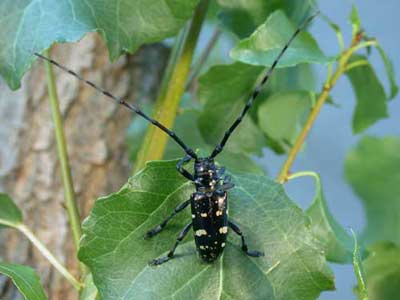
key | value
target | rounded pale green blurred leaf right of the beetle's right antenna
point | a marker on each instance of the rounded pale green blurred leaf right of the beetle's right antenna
(283, 115)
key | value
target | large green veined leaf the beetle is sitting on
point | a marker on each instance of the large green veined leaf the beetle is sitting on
(114, 249)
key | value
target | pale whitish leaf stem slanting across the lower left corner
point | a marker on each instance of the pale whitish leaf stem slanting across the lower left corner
(49, 256)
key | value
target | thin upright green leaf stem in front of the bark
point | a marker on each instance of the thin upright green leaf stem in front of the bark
(70, 200)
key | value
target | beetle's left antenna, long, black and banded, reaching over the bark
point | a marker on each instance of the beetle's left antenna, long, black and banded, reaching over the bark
(122, 102)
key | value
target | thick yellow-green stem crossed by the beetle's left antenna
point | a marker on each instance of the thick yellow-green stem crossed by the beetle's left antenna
(167, 103)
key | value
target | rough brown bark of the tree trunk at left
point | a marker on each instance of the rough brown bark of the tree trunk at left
(95, 132)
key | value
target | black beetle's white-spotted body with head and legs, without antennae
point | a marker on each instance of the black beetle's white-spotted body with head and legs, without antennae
(209, 205)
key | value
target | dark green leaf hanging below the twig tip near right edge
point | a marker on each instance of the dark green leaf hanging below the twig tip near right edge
(370, 94)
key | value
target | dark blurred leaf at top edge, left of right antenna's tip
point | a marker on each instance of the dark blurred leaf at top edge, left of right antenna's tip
(243, 17)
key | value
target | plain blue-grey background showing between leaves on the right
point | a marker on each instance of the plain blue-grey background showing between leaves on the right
(332, 137)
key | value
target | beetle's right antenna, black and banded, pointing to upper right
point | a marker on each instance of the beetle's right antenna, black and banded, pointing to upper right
(257, 90)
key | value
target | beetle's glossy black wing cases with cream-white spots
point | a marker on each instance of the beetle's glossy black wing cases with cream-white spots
(210, 223)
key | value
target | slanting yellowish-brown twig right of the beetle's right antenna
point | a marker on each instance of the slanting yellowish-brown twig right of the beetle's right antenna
(329, 84)
